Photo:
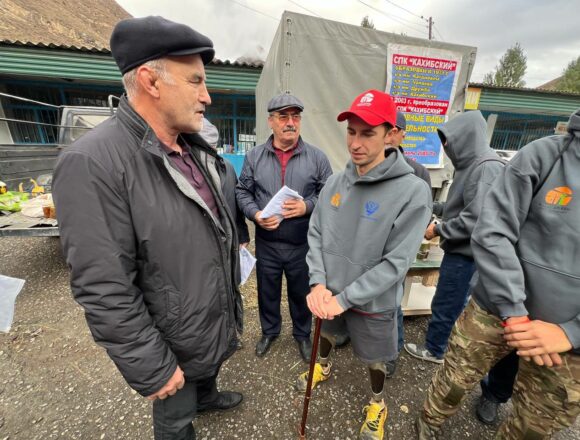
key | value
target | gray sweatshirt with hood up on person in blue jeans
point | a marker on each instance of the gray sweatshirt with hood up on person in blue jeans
(467, 148)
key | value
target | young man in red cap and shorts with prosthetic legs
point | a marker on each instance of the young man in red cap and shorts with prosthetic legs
(363, 236)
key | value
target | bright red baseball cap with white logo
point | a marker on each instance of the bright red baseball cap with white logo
(373, 107)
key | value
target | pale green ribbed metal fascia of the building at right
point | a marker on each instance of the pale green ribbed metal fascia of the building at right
(516, 100)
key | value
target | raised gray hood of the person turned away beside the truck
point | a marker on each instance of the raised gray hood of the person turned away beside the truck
(466, 137)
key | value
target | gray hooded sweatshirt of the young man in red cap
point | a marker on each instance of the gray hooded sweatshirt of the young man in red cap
(365, 232)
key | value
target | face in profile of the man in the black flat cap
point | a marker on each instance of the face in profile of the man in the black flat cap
(183, 96)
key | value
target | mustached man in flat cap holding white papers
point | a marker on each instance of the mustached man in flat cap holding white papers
(281, 243)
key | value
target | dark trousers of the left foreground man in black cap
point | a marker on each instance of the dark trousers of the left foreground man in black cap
(172, 417)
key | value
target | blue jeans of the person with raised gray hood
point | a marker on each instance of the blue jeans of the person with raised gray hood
(449, 300)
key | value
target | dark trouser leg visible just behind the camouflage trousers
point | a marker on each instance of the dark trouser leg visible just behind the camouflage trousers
(498, 385)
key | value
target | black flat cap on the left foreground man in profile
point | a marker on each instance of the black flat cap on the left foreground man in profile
(135, 41)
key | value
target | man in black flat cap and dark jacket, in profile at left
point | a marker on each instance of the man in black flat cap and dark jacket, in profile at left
(147, 233)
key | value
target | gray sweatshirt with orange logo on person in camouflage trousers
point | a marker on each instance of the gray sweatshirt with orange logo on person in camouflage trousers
(526, 247)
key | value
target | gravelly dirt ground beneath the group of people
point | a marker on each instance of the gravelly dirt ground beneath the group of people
(55, 383)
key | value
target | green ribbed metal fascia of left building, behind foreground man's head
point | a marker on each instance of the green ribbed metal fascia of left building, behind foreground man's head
(100, 67)
